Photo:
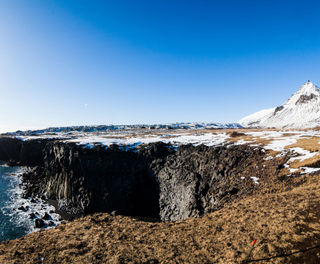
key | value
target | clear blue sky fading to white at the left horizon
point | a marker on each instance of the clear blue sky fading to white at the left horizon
(125, 62)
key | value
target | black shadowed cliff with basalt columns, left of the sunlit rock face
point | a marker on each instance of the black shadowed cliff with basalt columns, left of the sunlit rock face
(86, 180)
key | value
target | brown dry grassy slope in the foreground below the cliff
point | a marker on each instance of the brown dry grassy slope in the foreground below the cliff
(283, 217)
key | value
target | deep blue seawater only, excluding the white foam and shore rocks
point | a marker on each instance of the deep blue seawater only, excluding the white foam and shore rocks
(12, 224)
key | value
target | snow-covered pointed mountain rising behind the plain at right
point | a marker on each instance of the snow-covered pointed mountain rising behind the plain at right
(302, 110)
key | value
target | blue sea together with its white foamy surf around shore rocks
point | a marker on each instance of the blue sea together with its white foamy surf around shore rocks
(14, 222)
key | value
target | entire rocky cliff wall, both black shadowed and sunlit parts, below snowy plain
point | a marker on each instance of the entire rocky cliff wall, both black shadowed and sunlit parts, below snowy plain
(152, 181)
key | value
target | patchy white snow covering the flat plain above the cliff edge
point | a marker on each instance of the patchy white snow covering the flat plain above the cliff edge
(278, 140)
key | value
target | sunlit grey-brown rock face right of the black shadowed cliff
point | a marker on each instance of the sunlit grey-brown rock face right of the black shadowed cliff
(198, 180)
